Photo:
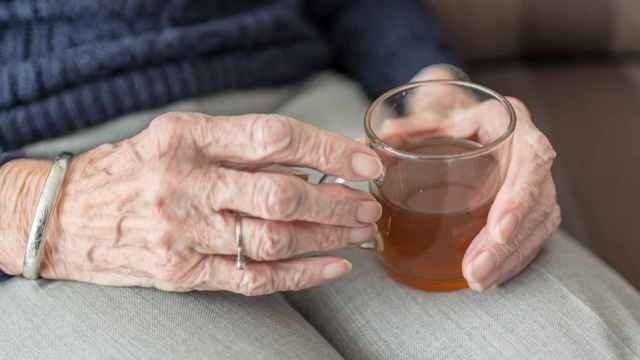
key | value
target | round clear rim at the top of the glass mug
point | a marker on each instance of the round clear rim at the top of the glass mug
(484, 149)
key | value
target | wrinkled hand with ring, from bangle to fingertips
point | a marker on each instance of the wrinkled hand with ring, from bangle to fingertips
(156, 210)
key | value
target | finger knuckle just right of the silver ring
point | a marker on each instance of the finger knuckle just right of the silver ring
(274, 242)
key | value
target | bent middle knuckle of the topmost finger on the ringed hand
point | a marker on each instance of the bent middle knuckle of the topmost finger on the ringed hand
(271, 134)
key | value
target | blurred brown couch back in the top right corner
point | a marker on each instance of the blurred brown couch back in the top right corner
(490, 29)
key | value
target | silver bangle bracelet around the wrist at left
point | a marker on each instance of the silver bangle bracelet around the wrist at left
(46, 203)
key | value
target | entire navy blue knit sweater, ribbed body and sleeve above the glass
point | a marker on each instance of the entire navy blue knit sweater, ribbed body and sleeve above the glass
(69, 64)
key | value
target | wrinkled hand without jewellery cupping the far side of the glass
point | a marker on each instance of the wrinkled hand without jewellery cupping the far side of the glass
(525, 211)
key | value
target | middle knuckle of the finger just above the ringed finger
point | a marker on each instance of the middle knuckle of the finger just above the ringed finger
(282, 197)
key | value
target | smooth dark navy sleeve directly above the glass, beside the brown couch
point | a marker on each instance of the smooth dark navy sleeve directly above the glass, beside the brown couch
(381, 43)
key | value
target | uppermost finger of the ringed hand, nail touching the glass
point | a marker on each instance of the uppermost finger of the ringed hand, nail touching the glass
(266, 139)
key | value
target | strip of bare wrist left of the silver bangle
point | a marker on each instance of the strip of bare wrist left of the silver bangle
(21, 182)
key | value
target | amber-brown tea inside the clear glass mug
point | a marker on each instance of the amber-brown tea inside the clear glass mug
(432, 211)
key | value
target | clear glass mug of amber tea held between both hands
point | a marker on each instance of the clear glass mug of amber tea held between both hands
(445, 146)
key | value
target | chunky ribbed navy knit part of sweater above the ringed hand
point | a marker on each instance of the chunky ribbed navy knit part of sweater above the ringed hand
(68, 65)
